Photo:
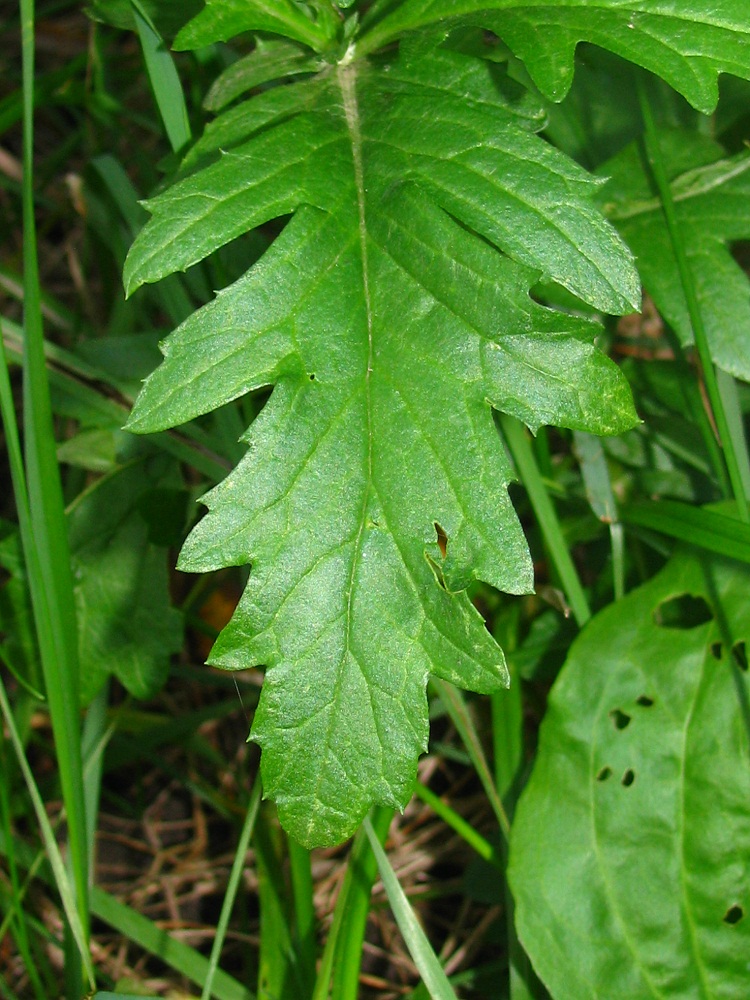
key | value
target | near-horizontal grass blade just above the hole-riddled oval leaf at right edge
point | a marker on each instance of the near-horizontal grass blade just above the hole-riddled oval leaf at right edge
(706, 528)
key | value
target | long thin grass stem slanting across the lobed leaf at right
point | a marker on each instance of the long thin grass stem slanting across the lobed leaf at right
(658, 169)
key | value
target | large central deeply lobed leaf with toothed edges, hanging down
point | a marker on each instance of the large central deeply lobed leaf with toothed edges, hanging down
(390, 326)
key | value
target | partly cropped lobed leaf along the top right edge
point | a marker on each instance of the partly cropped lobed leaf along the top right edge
(686, 42)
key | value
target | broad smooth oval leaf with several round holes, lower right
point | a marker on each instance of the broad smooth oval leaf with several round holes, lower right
(630, 852)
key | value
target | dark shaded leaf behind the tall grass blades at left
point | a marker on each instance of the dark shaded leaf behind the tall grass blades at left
(127, 626)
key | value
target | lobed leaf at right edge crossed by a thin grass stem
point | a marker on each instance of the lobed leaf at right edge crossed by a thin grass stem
(712, 200)
